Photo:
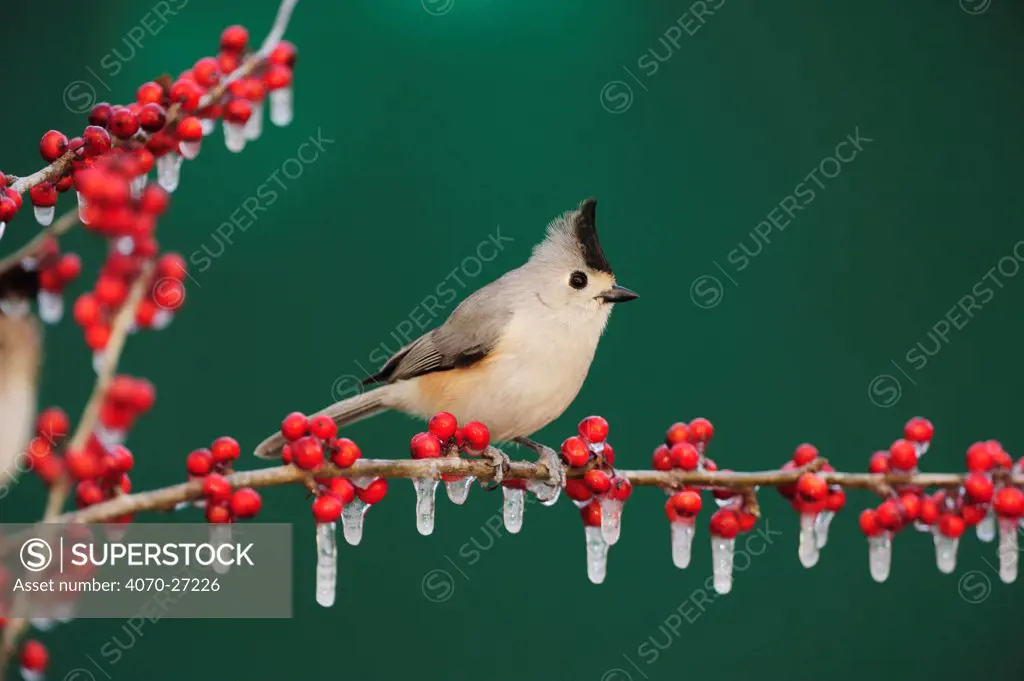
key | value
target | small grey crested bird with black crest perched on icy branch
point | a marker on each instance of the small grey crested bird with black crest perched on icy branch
(514, 355)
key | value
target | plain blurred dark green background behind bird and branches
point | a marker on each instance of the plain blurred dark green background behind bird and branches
(448, 125)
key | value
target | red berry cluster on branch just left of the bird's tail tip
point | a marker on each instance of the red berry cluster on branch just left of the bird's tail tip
(224, 503)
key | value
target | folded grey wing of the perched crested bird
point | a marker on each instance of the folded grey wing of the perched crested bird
(468, 335)
